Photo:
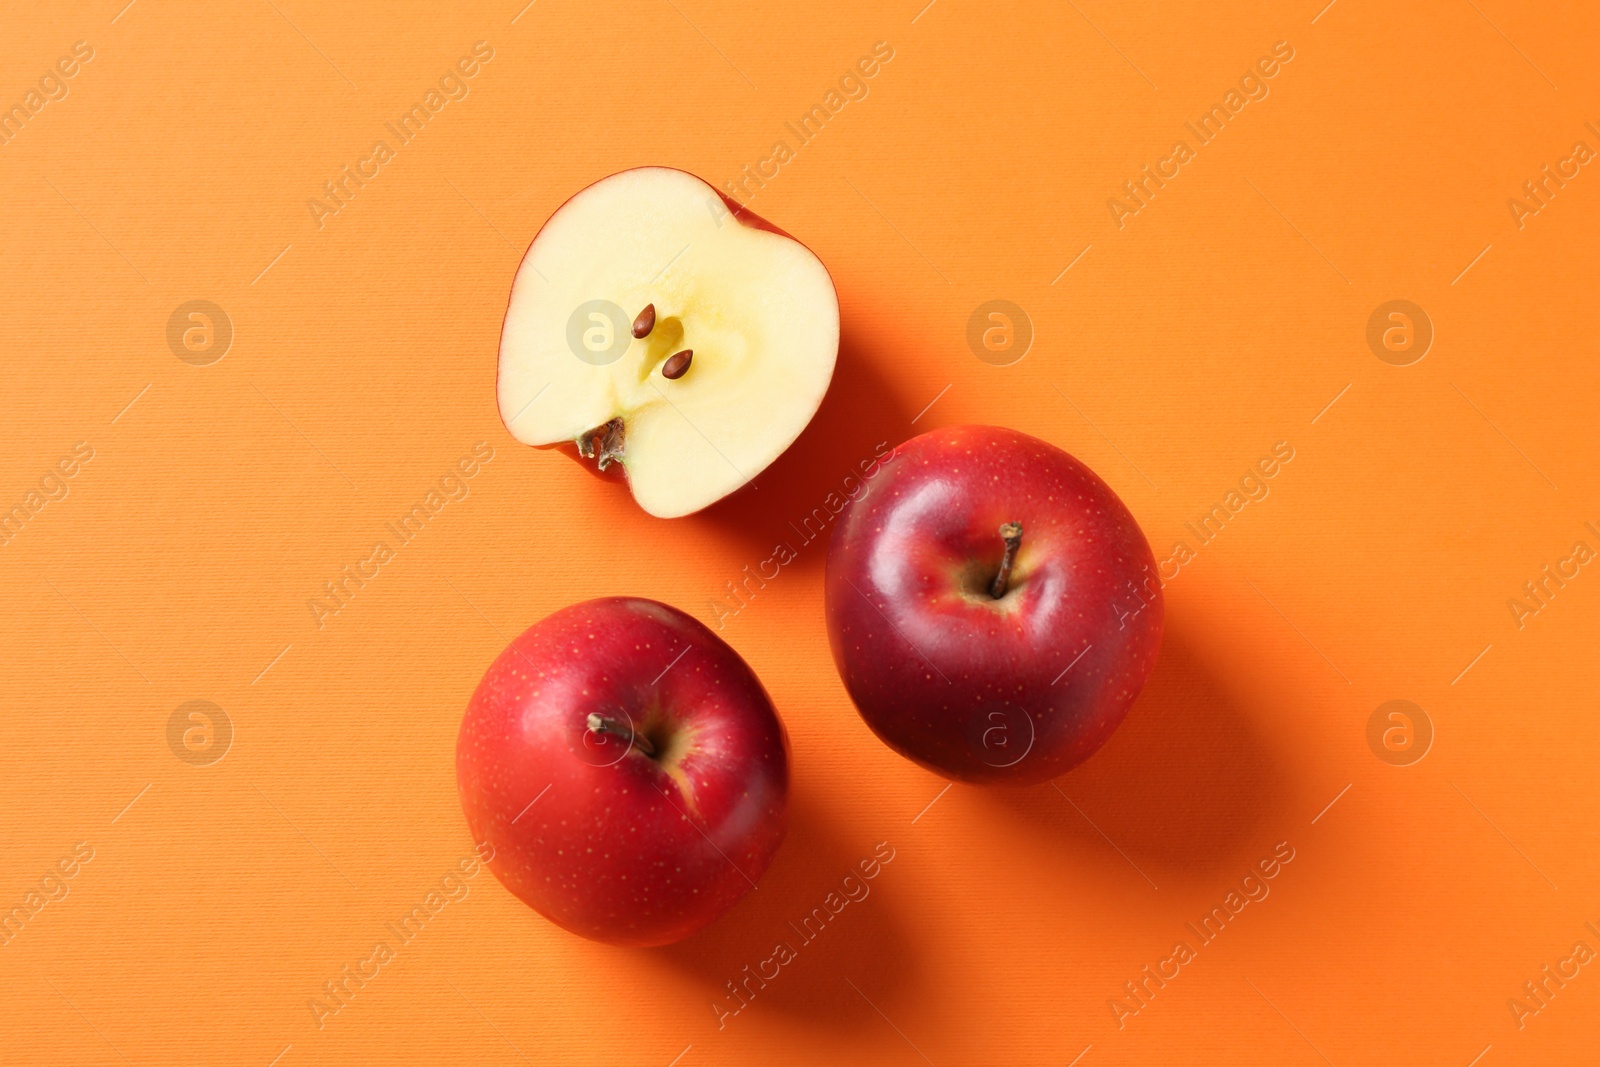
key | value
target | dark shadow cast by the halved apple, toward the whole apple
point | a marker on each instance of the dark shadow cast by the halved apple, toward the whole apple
(858, 415)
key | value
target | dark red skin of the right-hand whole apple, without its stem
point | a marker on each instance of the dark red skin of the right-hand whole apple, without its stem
(969, 687)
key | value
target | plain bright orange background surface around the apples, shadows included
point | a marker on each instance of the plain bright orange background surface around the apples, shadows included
(1175, 353)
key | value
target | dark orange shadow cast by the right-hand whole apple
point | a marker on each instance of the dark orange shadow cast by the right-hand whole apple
(1186, 788)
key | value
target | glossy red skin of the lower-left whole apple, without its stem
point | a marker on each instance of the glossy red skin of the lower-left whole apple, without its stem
(618, 845)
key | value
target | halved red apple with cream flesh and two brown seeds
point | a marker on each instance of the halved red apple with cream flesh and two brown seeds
(665, 329)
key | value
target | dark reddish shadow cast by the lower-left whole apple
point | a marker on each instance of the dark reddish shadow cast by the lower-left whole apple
(865, 940)
